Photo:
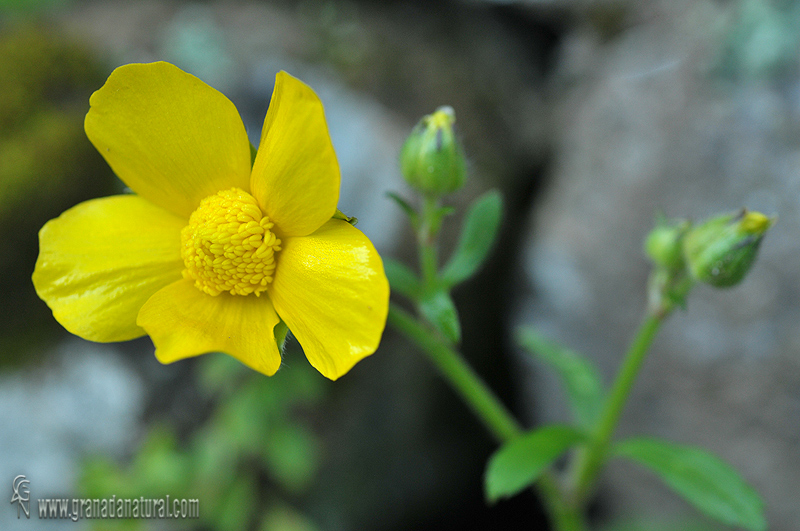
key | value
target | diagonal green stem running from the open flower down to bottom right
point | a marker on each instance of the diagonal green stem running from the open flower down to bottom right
(488, 408)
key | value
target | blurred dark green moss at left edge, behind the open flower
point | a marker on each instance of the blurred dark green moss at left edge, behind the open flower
(48, 165)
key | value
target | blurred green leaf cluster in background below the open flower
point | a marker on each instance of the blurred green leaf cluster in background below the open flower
(244, 464)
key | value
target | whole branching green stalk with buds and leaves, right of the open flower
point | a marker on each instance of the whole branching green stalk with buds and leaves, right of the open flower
(718, 252)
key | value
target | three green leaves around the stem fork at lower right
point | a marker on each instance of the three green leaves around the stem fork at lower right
(705, 481)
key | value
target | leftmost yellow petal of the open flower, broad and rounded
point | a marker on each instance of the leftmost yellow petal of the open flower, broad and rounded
(101, 260)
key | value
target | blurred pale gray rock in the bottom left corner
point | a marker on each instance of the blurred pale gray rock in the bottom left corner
(86, 400)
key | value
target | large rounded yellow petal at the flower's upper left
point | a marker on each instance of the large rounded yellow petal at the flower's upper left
(173, 139)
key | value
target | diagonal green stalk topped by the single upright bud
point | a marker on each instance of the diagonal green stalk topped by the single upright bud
(435, 331)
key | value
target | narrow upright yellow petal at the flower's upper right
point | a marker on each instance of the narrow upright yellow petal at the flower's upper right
(295, 175)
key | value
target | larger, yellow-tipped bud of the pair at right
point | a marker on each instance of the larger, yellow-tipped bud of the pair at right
(721, 250)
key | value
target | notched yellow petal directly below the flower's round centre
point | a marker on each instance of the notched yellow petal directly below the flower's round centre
(184, 322)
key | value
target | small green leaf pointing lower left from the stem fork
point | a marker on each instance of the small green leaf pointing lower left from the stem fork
(519, 463)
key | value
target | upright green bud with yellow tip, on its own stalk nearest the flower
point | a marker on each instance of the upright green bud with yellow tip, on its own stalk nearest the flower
(432, 160)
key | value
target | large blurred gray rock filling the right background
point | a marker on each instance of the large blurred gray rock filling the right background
(655, 119)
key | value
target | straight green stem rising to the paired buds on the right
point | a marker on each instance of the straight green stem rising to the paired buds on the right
(590, 461)
